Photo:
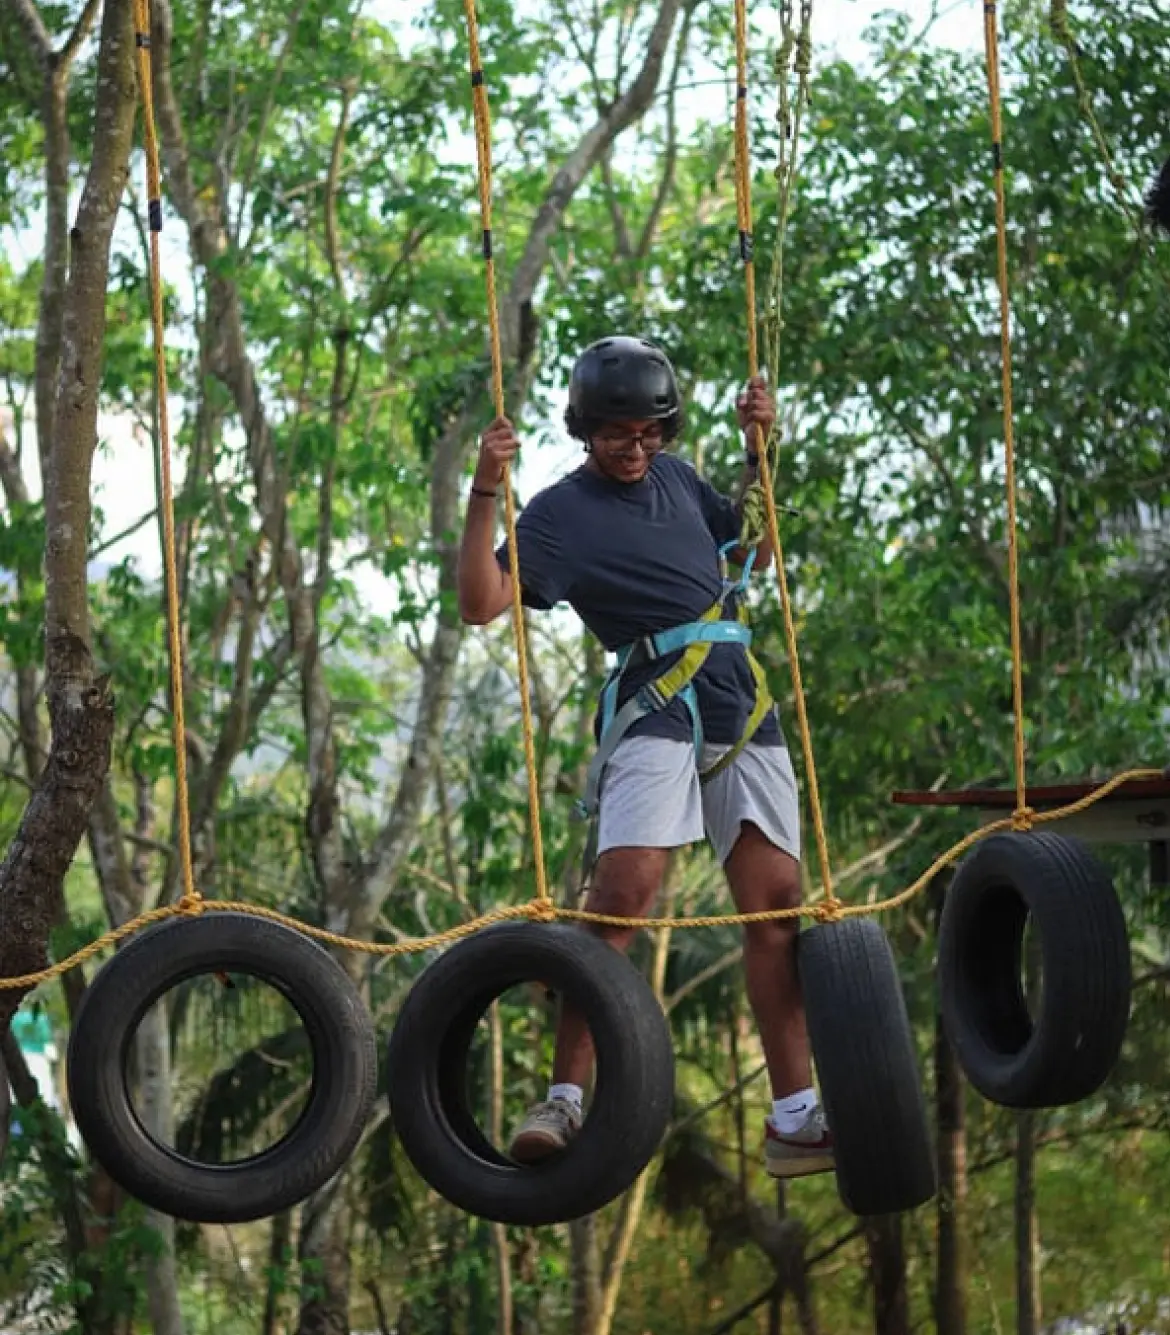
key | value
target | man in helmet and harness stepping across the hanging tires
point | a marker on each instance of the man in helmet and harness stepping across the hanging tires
(639, 545)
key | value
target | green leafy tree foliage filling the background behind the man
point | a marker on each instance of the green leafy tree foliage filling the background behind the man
(892, 455)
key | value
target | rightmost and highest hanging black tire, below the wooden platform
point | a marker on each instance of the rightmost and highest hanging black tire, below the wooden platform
(1066, 1050)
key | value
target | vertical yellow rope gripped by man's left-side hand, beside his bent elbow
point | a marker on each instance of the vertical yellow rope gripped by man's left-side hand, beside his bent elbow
(484, 157)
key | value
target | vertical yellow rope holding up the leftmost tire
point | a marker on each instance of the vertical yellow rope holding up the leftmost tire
(192, 898)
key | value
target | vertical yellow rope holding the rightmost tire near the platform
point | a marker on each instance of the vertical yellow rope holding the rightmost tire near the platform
(1022, 815)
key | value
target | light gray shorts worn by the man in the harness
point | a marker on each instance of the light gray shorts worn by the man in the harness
(651, 798)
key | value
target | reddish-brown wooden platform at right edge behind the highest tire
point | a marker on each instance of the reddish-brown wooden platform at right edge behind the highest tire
(1136, 812)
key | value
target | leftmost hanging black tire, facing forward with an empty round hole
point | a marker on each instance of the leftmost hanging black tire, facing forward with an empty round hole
(341, 1037)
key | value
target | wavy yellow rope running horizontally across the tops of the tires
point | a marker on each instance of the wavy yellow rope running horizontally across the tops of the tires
(544, 911)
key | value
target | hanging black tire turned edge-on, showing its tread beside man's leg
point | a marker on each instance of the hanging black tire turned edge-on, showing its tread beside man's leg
(867, 1067)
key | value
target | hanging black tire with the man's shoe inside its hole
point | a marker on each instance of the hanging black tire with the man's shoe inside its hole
(428, 1061)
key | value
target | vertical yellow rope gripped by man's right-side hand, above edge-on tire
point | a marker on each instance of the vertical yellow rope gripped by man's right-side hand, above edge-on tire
(745, 214)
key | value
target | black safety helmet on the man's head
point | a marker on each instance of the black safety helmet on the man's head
(619, 380)
